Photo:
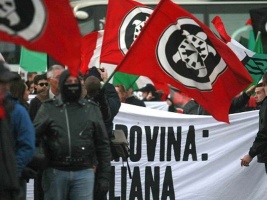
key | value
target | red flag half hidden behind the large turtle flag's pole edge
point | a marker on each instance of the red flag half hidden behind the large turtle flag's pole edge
(124, 21)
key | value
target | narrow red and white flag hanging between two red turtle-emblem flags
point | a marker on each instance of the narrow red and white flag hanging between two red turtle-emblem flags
(91, 48)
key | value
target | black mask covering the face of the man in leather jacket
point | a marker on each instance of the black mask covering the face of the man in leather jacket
(71, 93)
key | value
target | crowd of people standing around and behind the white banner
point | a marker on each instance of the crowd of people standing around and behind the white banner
(70, 120)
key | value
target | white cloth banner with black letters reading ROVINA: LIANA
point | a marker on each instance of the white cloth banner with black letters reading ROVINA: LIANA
(187, 157)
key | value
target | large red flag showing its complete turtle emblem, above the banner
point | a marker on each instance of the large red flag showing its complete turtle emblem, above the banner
(178, 49)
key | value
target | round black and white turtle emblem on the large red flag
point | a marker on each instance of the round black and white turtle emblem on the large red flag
(188, 56)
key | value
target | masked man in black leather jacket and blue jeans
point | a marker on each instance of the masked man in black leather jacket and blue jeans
(75, 143)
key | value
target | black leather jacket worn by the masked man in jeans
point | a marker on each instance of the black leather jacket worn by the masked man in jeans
(74, 136)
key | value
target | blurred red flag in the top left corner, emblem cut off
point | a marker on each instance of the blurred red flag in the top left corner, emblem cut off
(45, 26)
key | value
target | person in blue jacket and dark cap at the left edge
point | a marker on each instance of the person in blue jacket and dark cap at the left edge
(17, 140)
